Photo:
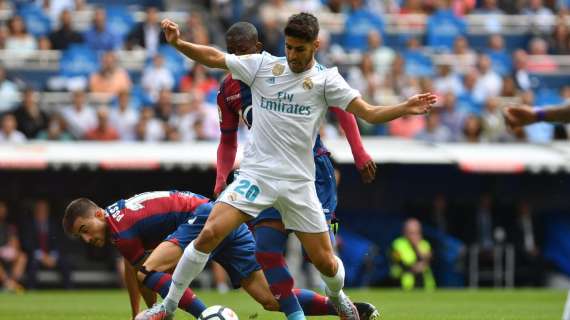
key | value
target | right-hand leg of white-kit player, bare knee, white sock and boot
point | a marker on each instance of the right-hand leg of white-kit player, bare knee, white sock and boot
(319, 249)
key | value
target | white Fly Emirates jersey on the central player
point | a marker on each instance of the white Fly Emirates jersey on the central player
(288, 109)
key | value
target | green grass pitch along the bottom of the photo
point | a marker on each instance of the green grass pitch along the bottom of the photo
(395, 305)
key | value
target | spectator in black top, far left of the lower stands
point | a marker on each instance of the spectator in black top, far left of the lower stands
(31, 119)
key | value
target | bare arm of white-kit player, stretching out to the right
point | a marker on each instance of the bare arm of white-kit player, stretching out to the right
(416, 105)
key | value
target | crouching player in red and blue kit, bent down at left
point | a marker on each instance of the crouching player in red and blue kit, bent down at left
(165, 222)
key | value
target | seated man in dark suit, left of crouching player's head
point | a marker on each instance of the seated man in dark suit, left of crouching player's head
(43, 240)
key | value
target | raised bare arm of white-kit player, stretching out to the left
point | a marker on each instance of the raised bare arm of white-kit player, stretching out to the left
(206, 55)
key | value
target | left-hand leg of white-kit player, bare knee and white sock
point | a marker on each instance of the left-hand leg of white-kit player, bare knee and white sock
(222, 220)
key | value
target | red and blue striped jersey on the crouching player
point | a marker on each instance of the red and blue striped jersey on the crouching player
(142, 222)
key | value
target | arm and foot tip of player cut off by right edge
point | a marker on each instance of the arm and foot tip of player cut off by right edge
(525, 115)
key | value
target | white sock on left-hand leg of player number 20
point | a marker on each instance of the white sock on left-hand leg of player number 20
(190, 265)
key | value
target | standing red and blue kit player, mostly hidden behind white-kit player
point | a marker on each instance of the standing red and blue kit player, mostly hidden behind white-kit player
(234, 99)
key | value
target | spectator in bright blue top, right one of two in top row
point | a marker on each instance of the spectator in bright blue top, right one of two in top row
(443, 27)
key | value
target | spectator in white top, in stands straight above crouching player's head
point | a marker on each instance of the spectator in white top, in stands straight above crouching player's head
(79, 116)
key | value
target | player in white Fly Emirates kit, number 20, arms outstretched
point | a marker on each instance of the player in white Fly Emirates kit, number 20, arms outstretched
(290, 99)
